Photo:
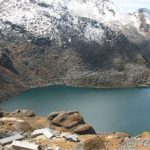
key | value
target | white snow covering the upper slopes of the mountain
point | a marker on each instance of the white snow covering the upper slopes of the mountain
(42, 17)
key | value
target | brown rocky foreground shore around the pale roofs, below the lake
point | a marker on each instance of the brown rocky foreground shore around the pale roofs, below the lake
(25, 122)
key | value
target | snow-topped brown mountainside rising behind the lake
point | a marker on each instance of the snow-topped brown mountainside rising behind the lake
(90, 43)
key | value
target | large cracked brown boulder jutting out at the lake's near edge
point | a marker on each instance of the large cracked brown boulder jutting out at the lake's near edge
(70, 121)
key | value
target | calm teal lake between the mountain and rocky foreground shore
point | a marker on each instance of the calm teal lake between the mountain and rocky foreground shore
(105, 109)
